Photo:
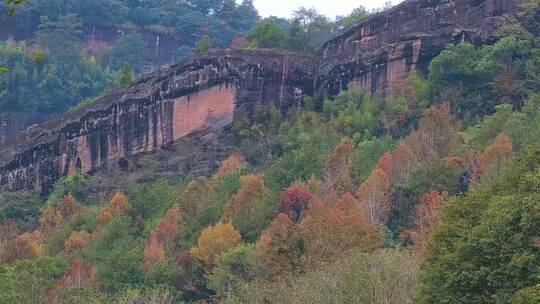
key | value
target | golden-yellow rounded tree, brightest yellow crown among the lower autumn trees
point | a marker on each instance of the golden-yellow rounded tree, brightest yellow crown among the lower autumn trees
(215, 240)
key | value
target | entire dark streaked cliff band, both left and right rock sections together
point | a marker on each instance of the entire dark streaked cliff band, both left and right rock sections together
(203, 94)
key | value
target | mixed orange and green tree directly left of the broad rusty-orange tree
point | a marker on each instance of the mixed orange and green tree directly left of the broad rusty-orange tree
(282, 248)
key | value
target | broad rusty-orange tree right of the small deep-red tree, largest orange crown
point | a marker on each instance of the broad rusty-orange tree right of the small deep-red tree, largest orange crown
(336, 224)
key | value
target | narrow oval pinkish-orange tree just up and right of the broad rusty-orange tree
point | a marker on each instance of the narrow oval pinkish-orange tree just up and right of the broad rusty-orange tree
(375, 196)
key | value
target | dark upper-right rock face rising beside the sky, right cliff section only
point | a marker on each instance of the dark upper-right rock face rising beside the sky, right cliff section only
(380, 52)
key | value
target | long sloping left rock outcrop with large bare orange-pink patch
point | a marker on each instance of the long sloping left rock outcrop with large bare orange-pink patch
(160, 108)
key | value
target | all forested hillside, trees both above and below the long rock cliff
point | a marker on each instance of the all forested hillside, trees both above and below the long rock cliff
(431, 195)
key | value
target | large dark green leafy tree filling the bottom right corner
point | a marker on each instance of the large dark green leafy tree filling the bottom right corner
(486, 248)
